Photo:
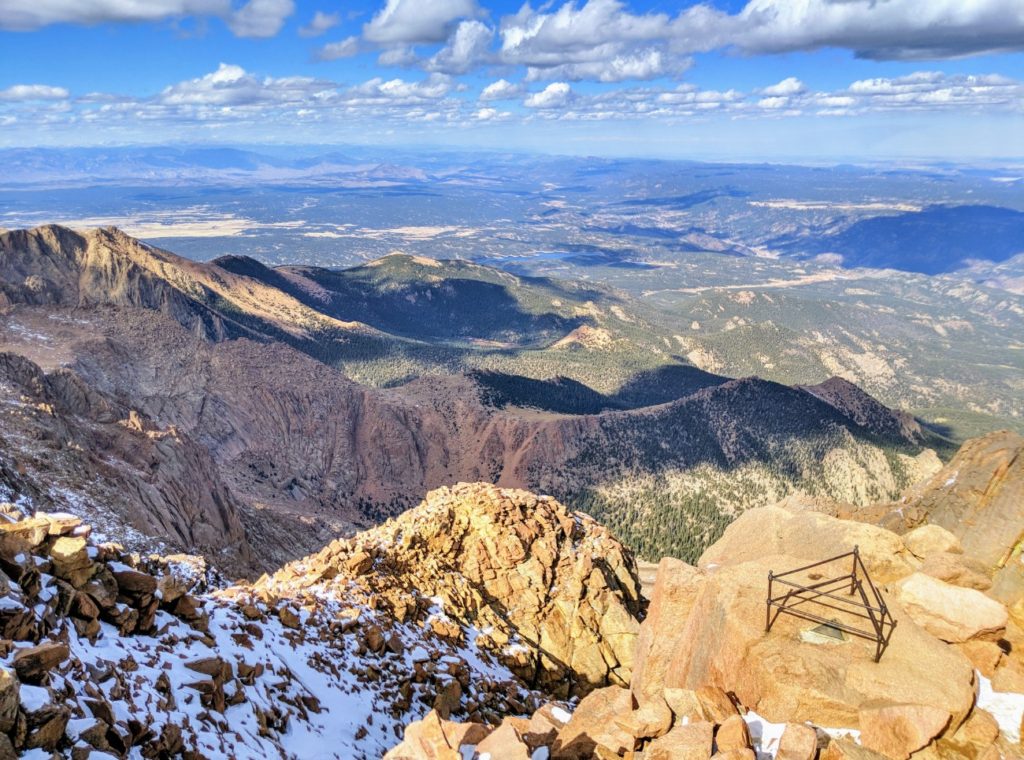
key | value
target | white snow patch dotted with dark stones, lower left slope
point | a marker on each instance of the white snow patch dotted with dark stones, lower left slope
(339, 699)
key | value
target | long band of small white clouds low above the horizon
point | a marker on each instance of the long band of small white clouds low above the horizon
(232, 97)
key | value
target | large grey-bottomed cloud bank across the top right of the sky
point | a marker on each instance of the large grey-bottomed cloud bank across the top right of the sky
(609, 41)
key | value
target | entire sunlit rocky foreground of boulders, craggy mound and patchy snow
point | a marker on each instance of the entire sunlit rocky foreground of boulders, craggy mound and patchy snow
(492, 623)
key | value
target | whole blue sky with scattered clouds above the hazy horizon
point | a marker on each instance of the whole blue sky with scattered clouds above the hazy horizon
(727, 79)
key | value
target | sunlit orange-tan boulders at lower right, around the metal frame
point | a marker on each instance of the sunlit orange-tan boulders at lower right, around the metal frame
(708, 682)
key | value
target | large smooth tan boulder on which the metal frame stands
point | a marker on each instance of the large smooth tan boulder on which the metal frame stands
(706, 628)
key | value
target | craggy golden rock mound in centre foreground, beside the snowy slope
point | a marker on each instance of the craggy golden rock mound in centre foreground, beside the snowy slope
(550, 592)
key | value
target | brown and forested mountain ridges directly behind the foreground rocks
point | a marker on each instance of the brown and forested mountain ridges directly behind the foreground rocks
(214, 407)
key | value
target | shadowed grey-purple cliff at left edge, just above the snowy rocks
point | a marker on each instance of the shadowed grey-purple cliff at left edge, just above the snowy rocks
(69, 443)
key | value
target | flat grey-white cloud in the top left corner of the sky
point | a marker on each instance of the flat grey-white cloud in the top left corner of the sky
(253, 19)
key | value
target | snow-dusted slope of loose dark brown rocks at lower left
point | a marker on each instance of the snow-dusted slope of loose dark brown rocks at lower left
(114, 654)
